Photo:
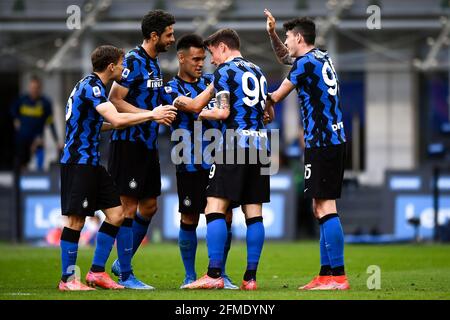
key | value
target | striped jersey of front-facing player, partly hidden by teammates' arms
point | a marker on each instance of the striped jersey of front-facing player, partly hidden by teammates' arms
(186, 120)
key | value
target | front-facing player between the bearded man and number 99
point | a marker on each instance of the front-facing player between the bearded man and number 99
(192, 175)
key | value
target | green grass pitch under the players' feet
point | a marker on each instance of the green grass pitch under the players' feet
(407, 272)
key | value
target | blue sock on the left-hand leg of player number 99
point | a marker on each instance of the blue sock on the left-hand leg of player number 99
(216, 237)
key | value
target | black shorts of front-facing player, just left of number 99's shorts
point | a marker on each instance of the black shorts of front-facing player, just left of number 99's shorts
(191, 187)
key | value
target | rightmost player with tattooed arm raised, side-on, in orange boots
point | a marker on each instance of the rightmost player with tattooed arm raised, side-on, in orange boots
(316, 82)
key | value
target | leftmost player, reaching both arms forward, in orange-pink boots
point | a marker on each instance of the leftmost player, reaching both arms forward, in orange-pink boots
(85, 184)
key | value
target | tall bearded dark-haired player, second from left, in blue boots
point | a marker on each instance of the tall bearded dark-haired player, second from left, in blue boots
(134, 160)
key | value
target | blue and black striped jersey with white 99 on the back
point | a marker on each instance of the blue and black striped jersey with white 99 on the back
(247, 86)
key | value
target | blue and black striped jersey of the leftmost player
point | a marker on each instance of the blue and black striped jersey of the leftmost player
(83, 122)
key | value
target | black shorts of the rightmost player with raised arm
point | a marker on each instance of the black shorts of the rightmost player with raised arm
(324, 171)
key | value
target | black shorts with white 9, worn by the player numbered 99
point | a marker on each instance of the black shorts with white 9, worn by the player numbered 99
(239, 183)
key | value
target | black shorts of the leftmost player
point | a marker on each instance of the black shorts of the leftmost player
(86, 189)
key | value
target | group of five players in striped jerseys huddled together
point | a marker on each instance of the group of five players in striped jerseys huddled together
(234, 98)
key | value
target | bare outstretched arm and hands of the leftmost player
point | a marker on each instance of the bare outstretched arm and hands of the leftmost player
(165, 114)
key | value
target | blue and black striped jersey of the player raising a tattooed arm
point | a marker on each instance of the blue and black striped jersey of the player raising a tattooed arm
(317, 85)
